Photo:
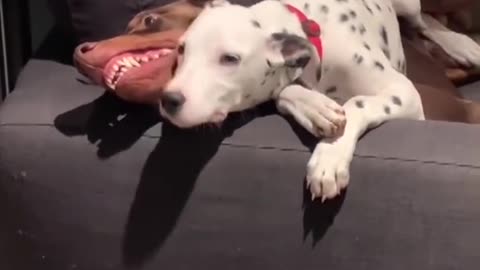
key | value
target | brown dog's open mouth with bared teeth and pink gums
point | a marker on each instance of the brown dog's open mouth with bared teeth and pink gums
(132, 64)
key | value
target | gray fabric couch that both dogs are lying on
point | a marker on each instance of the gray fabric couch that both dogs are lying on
(90, 182)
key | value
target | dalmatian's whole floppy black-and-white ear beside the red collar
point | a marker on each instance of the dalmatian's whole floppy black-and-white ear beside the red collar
(289, 50)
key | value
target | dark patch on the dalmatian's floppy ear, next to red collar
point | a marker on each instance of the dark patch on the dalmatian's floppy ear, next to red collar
(296, 51)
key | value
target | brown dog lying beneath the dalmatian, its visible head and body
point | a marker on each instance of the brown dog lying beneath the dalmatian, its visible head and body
(158, 29)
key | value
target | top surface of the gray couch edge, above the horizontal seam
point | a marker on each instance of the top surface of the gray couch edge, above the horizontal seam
(52, 94)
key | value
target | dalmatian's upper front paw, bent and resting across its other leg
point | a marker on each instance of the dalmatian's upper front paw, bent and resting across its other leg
(316, 112)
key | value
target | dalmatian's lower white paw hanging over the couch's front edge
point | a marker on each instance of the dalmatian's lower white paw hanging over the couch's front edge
(328, 170)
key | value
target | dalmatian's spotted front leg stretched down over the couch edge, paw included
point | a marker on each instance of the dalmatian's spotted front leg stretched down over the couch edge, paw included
(328, 167)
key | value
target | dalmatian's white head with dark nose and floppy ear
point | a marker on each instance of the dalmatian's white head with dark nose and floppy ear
(228, 61)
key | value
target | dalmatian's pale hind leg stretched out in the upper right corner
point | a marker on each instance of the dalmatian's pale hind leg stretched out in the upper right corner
(459, 46)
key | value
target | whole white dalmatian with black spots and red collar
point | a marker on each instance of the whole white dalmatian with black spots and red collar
(335, 66)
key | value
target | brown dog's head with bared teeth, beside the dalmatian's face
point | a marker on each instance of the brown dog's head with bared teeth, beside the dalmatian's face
(138, 64)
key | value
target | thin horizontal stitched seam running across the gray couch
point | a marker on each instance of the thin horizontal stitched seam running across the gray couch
(287, 149)
